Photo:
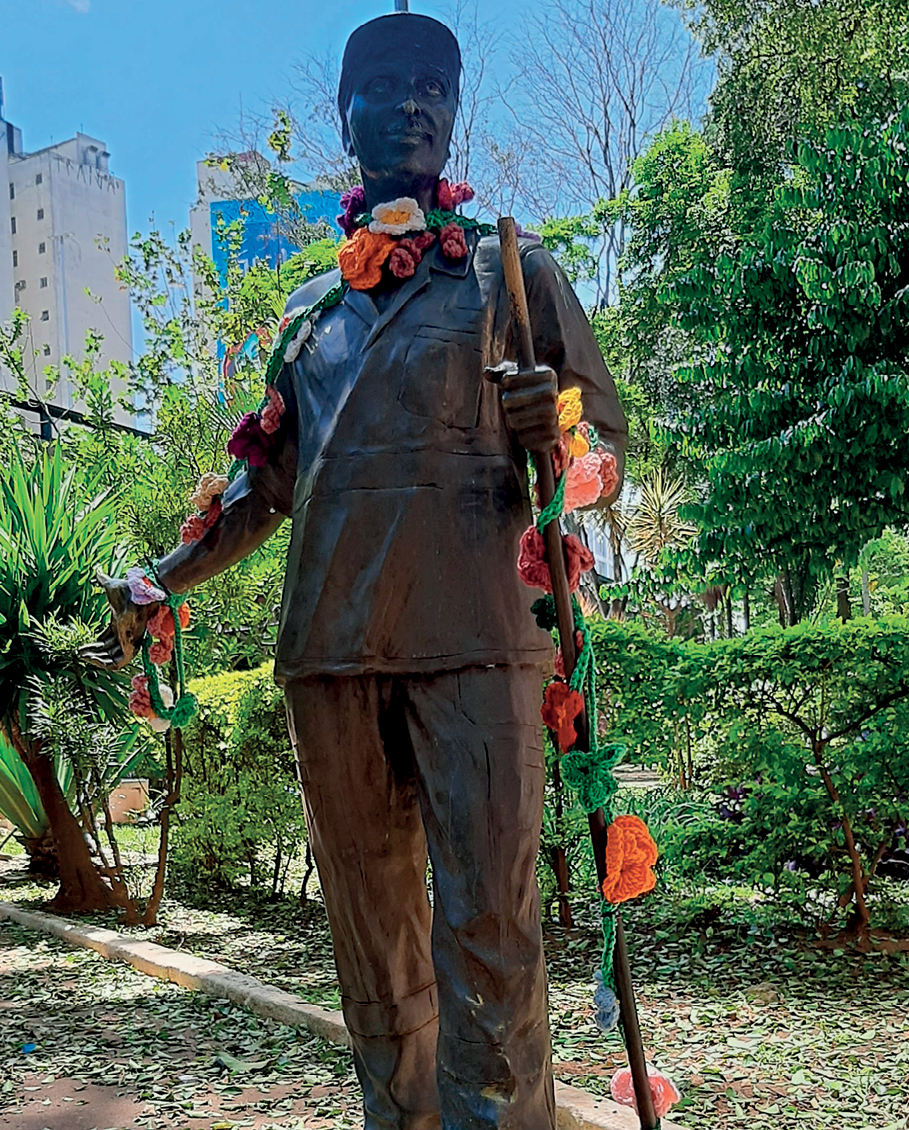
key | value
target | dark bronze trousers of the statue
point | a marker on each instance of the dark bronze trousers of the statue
(446, 1006)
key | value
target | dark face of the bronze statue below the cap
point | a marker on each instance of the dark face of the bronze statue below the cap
(400, 119)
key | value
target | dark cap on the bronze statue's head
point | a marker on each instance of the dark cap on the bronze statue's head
(401, 33)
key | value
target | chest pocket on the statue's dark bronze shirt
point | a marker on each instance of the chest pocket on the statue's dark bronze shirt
(443, 377)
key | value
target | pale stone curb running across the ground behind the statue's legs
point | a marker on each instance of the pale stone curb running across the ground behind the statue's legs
(576, 1110)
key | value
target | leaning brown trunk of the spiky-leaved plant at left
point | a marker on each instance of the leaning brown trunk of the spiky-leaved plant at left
(82, 889)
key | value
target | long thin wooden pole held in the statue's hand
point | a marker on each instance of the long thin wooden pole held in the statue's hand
(556, 555)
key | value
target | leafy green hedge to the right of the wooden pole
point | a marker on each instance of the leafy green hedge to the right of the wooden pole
(799, 737)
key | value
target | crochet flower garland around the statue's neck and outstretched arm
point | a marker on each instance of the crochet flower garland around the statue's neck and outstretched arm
(385, 245)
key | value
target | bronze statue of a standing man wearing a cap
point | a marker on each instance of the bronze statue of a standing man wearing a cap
(411, 663)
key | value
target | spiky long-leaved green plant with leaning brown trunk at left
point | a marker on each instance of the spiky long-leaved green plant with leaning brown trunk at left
(55, 532)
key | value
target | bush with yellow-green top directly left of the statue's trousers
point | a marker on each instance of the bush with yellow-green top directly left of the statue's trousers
(240, 818)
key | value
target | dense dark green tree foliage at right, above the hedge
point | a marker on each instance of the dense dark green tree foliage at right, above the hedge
(800, 390)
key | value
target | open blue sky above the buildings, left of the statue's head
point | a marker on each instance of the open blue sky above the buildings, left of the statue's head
(158, 80)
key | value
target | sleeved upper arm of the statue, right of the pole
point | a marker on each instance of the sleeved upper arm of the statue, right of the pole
(565, 341)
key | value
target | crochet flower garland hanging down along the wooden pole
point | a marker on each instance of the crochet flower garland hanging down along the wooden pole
(586, 473)
